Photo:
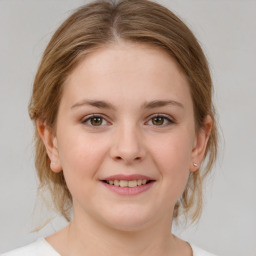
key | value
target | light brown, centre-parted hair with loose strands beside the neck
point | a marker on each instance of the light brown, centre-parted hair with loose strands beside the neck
(100, 23)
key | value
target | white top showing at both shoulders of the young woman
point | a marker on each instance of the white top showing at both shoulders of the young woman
(42, 248)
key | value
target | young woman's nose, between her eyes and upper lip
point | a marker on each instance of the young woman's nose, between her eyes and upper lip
(128, 145)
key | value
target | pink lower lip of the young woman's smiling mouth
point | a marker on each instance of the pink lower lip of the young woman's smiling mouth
(126, 191)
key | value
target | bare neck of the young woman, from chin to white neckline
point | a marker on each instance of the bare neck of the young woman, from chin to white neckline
(87, 236)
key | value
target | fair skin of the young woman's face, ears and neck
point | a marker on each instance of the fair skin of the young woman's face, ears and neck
(126, 114)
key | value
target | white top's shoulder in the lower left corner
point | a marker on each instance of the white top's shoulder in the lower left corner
(38, 248)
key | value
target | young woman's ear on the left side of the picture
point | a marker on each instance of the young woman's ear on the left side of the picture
(50, 141)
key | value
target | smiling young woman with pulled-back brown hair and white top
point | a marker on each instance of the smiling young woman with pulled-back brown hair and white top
(122, 105)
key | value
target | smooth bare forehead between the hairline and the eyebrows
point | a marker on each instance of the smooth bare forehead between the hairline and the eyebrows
(127, 71)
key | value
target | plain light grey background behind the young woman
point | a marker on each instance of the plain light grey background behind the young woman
(226, 30)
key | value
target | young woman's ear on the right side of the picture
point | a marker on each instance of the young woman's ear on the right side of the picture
(200, 144)
